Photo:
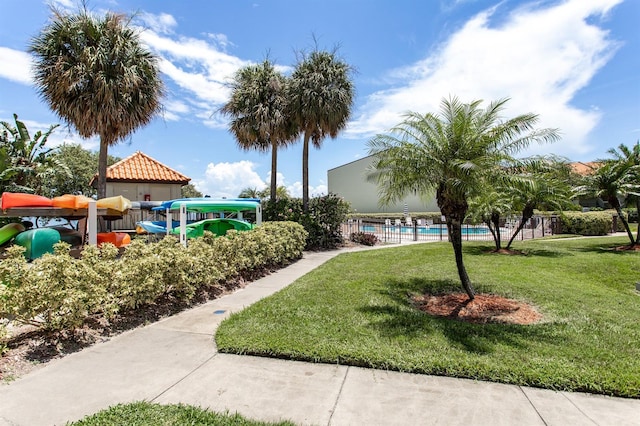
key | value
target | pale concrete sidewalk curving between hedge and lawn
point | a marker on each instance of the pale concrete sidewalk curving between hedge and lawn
(175, 360)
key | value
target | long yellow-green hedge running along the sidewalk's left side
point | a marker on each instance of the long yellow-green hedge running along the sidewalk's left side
(58, 292)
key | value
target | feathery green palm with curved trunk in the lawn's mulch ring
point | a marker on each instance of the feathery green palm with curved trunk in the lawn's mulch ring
(452, 152)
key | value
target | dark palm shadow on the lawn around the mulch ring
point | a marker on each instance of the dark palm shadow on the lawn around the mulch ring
(400, 318)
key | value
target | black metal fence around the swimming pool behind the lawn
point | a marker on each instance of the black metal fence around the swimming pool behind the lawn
(397, 231)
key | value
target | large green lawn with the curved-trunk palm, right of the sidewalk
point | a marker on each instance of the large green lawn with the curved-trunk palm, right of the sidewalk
(356, 310)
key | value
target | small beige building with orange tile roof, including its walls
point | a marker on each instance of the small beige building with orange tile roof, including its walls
(142, 178)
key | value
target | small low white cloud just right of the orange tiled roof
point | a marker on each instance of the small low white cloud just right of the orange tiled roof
(229, 179)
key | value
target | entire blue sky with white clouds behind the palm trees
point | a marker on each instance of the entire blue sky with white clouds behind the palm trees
(574, 62)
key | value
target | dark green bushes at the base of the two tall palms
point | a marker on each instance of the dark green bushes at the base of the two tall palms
(323, 222)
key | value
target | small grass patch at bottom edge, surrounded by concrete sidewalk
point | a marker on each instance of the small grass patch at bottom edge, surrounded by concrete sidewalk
(145, 413)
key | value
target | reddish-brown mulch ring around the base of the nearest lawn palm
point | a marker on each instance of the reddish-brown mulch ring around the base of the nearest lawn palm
(484, 308)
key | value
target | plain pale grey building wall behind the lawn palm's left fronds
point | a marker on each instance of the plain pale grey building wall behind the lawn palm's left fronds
(349, 181)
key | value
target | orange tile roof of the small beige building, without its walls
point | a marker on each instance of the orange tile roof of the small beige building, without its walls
(139, 167)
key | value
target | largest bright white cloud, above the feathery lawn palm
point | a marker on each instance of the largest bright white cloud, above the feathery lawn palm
(539, 57)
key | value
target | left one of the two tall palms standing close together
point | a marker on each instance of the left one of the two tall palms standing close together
(259, 110)
